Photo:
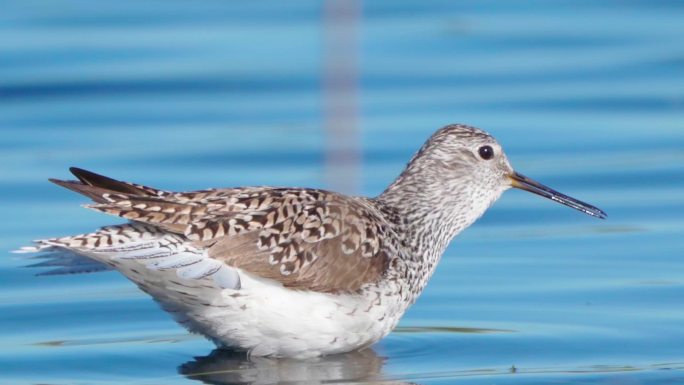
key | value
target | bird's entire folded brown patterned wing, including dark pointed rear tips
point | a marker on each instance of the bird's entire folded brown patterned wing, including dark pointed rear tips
(303, 238)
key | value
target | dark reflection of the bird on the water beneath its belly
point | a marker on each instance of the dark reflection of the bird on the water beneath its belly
(230, 367)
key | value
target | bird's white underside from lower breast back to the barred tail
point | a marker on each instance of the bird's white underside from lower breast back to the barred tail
(250, 313)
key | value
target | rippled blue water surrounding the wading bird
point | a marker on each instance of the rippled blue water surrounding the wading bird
(586, 97)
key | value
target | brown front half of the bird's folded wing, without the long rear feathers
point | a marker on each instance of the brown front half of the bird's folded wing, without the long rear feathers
(305, 239)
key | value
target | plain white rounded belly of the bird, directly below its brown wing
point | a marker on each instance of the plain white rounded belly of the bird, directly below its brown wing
(269, 320)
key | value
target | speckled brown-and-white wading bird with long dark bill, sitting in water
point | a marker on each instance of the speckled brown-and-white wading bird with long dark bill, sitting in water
(293, 272)
